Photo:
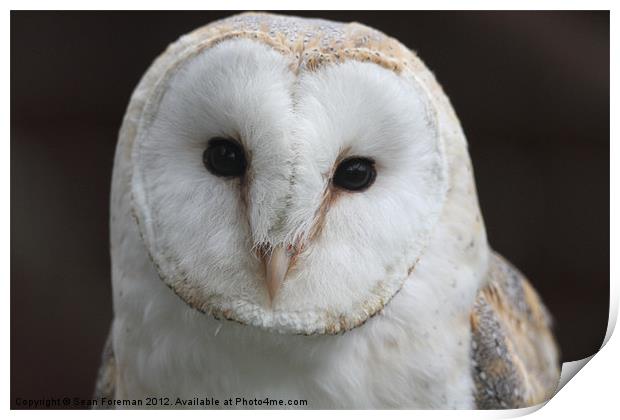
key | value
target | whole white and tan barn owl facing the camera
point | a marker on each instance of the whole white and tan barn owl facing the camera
(294, 218)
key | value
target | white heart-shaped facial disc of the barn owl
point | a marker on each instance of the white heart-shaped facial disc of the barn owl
(295, 200)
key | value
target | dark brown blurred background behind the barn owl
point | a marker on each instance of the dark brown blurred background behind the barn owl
(531, 90)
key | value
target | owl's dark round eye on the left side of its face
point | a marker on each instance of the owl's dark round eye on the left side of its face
(224, 157)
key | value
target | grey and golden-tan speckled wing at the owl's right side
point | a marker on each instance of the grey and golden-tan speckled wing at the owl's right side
(515, 357)
